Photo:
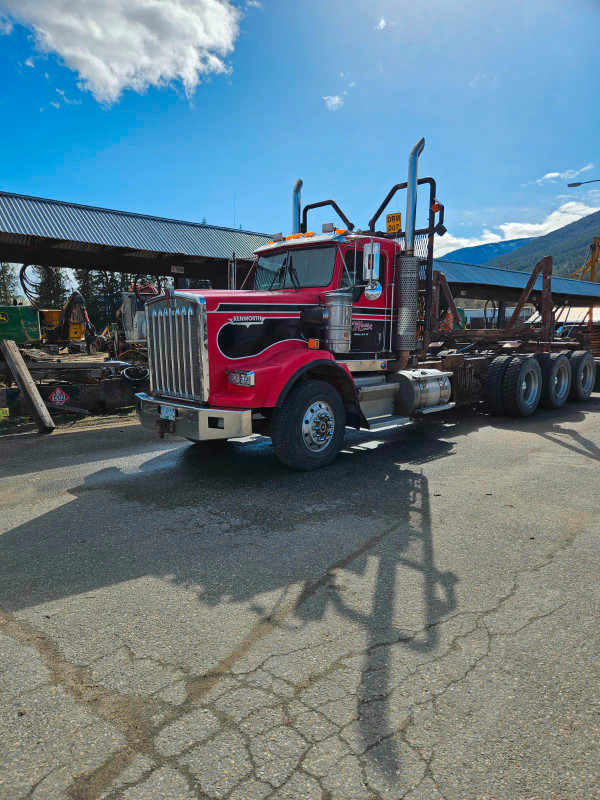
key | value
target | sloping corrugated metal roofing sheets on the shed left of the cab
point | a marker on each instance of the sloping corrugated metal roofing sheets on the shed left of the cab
(25, 216)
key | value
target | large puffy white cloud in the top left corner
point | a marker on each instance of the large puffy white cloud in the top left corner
(132, 44)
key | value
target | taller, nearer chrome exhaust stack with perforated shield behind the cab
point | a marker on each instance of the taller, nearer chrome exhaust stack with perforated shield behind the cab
(407, 269)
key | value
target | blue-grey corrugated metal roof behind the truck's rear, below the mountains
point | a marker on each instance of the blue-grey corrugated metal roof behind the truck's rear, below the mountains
(468, 274)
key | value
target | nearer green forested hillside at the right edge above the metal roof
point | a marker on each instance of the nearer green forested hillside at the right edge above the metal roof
(568, 246)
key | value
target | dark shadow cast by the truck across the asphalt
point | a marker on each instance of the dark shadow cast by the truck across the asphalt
(236, 526)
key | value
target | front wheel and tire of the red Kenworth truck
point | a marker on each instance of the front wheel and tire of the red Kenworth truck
(308, 430)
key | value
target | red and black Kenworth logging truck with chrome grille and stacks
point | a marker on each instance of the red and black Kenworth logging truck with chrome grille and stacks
(343, 329)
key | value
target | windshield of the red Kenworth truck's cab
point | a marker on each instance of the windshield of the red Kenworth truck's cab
(294, 268)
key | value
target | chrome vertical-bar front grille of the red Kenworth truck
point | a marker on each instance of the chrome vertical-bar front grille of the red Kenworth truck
(177, 348)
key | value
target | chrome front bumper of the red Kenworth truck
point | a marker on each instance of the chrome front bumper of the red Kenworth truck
(193, 422)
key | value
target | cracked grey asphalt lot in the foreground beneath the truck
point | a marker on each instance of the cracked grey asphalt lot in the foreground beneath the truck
(419, 620)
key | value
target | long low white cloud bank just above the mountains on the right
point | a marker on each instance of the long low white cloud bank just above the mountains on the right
(563, 215)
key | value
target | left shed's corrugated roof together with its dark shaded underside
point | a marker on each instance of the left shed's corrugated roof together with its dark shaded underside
(34, 230)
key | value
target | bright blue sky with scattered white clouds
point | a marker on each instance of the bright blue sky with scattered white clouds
(207, 108)
